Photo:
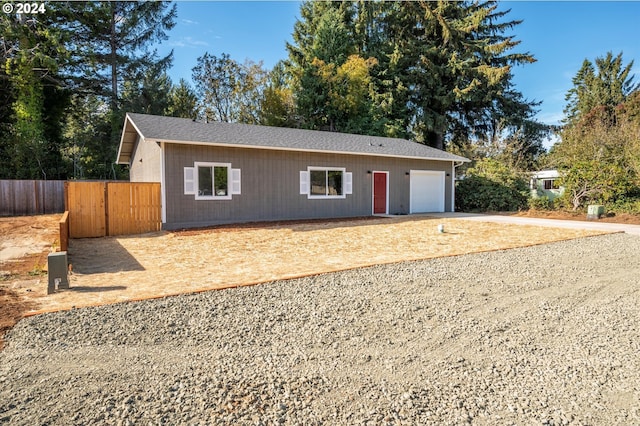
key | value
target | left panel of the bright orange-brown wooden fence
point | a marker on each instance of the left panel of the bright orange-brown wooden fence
(86, 205)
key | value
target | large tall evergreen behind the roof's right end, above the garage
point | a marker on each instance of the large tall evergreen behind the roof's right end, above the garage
(461, 69)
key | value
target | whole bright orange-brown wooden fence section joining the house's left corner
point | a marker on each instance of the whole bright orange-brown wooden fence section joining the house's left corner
(98, 209)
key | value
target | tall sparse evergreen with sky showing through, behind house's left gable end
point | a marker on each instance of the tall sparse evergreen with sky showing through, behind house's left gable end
(110, 44)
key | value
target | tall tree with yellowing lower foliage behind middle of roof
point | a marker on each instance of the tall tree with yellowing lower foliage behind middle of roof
(332, 82)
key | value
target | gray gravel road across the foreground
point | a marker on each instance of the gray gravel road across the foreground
(541, 335)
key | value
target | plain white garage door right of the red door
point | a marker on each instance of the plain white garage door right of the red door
(426, 191)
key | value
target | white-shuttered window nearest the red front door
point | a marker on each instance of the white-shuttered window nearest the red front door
(325, 182)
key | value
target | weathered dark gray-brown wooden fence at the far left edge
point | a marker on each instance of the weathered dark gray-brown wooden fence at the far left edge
(31, 197)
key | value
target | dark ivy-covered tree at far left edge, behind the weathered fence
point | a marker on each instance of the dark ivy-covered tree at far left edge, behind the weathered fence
(35, 99)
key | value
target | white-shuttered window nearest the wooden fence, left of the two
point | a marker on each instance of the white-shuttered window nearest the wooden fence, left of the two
(211, 181)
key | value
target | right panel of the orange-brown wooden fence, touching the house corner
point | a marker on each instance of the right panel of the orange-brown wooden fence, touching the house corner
(133, 208)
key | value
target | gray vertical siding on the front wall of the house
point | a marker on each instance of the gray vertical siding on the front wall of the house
(270, 181)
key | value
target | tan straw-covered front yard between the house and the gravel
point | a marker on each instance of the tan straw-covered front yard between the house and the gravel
(119, 269)
